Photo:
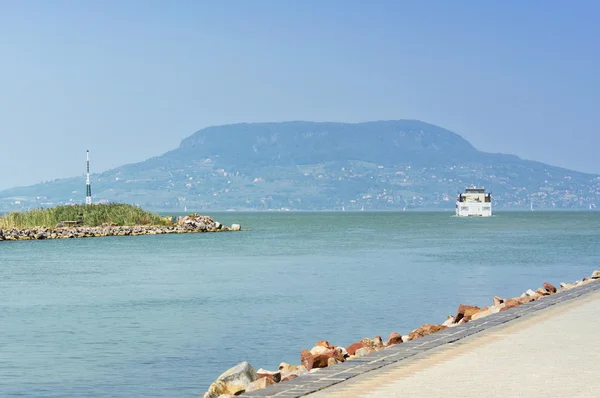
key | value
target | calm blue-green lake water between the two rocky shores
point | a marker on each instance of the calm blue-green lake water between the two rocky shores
(163, 316)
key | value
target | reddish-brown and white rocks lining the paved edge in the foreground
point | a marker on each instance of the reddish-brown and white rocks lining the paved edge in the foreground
(243, 377)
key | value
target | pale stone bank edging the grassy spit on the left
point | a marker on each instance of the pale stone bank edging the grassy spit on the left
(188, 224)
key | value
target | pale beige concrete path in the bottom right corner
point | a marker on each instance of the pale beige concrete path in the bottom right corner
(554, 352)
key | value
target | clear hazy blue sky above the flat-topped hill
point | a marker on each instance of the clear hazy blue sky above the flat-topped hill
(130, 79)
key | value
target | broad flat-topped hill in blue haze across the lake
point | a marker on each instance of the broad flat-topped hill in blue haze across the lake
(321, 166)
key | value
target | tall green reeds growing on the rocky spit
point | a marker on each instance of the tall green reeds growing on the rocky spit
(89, 215)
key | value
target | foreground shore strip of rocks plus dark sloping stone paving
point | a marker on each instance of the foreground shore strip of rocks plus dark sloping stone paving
(325, 364)
